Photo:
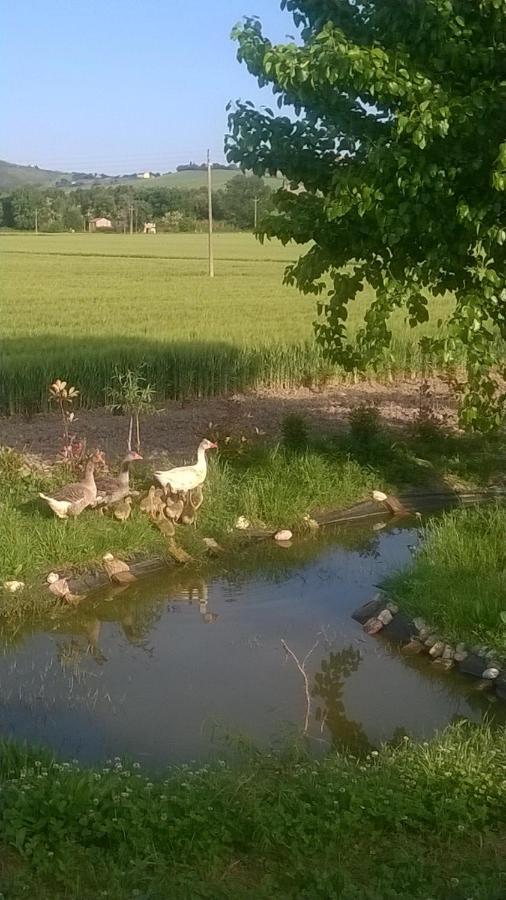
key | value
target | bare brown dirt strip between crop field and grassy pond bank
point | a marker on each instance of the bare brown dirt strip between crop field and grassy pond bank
(177, 429)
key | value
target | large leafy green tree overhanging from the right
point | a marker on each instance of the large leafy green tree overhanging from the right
(397, 146)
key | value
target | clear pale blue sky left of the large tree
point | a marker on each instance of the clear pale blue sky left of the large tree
(121, 86)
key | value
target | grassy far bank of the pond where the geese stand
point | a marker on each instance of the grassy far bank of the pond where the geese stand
(267, 485)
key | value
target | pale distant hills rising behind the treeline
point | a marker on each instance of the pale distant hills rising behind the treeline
(12, 176)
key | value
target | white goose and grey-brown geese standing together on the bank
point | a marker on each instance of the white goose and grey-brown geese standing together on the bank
(178, 484)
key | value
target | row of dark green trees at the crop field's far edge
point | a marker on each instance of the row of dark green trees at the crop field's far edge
(171, 208)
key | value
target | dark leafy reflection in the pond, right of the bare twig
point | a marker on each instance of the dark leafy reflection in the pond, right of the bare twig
(330, 713)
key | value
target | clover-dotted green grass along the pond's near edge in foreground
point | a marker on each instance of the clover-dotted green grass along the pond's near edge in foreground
(416, 821)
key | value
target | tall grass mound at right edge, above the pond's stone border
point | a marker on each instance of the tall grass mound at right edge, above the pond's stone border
(457, 579)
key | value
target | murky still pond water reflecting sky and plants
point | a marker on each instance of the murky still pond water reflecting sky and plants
(172, 668)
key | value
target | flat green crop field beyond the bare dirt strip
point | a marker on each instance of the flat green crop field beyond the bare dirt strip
(77, 306)
